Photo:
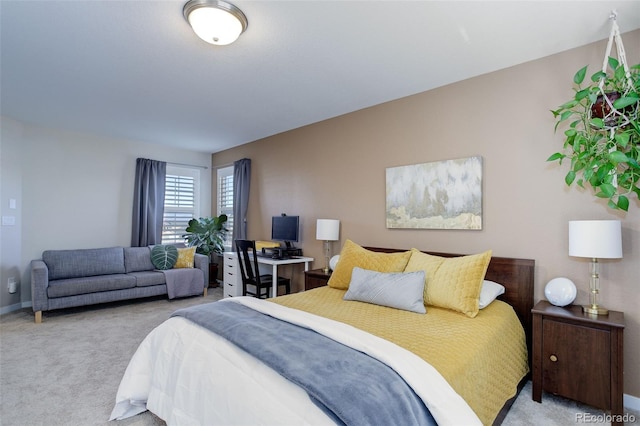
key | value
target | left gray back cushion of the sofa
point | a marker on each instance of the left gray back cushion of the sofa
(64, 264)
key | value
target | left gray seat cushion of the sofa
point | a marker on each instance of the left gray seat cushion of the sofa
(85, 285)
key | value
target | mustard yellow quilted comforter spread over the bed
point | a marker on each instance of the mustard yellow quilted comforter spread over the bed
(482, 358)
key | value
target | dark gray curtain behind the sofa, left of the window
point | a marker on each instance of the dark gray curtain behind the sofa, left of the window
(148, 202)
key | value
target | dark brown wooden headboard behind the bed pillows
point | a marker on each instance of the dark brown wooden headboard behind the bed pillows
(516, 275)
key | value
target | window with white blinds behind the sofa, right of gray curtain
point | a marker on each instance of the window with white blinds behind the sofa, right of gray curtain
(181, 202)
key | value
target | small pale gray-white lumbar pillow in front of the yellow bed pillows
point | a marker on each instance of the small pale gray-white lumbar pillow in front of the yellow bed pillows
(400, 290)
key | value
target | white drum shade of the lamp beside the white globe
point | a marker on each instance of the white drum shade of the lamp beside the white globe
(599, 239)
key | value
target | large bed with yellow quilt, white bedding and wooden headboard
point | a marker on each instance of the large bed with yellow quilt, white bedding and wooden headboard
(188, 371)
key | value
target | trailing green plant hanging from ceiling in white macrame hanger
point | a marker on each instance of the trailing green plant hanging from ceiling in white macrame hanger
(602, 140)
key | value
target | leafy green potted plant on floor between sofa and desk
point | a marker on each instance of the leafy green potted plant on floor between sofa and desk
(207, 234)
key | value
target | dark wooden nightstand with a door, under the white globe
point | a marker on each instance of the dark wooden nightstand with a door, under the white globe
(578, 356)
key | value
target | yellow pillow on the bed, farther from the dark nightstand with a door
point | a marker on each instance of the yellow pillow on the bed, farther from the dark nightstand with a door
(353, 255)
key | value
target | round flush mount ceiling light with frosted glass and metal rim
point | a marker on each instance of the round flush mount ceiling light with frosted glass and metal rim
(216, 22)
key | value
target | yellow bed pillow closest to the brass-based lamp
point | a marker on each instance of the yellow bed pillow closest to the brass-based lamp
(452, 283)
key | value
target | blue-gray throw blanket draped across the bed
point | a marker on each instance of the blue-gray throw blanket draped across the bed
(349, 386)
